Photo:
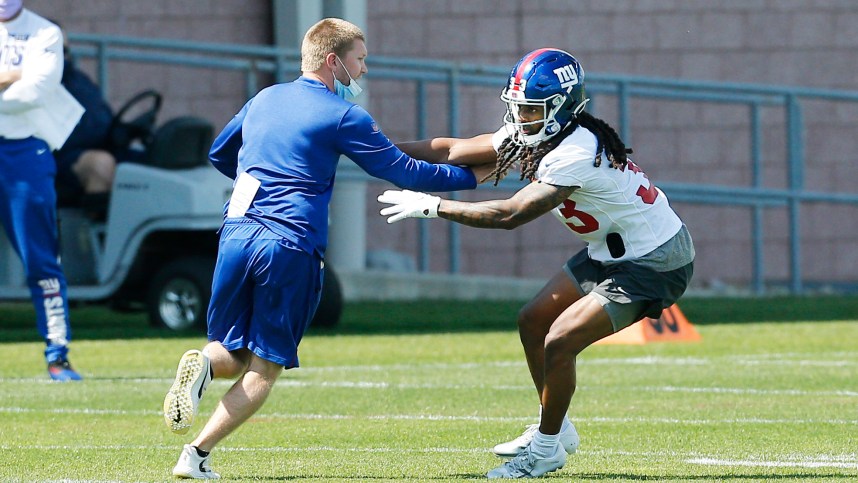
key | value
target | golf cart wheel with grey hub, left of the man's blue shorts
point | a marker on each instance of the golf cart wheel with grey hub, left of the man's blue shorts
(179, 295)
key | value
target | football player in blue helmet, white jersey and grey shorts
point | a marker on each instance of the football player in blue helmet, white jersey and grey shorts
(639, 257)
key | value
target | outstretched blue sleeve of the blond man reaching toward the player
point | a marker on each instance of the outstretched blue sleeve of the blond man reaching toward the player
(363, 142)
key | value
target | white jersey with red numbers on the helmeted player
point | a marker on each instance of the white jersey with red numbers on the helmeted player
(607, 200)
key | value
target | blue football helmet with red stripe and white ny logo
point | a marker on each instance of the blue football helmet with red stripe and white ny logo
(550, 79)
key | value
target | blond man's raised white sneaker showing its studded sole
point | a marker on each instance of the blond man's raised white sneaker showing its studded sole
(192, 378)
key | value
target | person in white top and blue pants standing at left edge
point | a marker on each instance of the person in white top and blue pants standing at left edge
(31, 63)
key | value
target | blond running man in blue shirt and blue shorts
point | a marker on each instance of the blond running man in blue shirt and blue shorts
(282, 150)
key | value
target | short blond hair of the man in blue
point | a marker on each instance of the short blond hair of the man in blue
(327, 35)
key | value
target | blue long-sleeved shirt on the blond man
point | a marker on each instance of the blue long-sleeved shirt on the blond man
(290, 137)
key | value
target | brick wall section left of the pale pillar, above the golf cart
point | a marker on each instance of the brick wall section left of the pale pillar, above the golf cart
(214, 95)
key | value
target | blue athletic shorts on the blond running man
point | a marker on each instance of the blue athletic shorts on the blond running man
(264, 294)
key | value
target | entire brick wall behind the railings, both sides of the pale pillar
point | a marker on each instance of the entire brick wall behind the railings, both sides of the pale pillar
(810, 43)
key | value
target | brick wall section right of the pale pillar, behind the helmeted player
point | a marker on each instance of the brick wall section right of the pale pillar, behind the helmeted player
(805, 43)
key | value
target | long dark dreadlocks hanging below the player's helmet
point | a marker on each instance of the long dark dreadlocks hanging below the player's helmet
(607, 140)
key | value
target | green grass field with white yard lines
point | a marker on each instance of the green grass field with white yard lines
(422, 391)
